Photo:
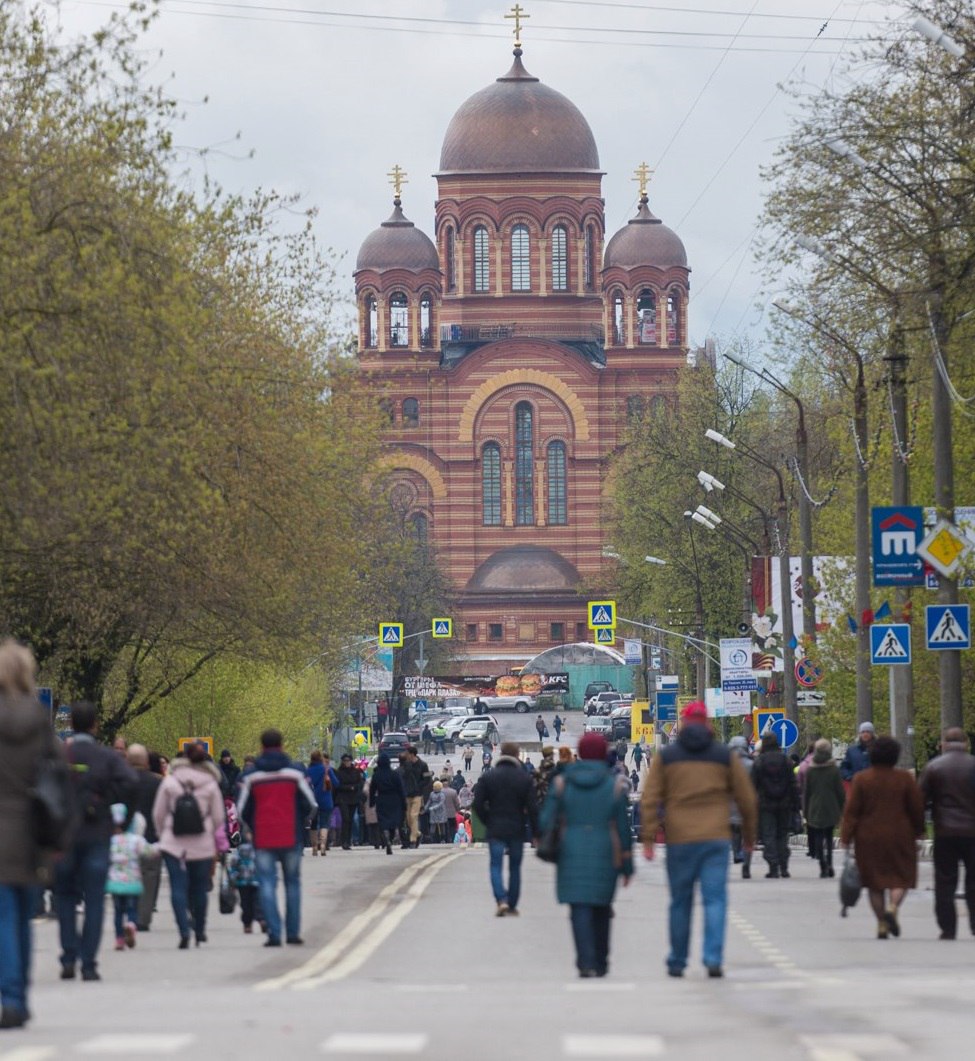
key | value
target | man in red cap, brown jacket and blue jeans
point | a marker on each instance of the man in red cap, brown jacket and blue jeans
(689, 790)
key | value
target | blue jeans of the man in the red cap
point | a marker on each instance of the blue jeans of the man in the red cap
(706, 862)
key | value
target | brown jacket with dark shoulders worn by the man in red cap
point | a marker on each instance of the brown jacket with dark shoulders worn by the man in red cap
(689, 788)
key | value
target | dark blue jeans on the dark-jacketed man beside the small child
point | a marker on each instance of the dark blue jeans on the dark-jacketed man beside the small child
(80, 877)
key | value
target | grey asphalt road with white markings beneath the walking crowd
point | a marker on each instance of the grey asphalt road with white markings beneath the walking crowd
(406, 958)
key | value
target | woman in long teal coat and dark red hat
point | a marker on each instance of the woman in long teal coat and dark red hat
(596, 848)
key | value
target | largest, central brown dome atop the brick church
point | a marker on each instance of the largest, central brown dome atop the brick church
(518, 126)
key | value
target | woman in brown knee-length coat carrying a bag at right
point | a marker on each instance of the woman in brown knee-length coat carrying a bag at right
(883, 819)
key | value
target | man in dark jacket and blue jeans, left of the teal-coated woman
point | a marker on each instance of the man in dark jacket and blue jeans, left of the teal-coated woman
(504, 801)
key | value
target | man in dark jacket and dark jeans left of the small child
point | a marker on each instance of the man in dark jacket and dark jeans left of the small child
(101, 778)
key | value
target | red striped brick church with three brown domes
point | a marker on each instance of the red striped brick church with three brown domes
(510, 351)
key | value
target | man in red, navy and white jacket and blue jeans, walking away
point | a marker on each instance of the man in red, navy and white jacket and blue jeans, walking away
(275, 802)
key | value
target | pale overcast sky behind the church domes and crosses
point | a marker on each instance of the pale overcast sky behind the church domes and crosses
(330, 94)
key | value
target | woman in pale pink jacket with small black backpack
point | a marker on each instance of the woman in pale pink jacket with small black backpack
(188, 838)
